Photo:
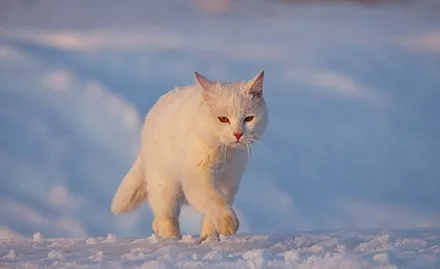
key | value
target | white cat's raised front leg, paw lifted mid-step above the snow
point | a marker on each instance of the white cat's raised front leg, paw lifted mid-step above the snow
(201, 193)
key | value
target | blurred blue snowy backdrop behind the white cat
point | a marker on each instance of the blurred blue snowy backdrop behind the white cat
(353, 93)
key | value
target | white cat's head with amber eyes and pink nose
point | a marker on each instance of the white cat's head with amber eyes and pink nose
(237, 111)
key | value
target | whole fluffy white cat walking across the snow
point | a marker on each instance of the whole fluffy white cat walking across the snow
(194, 150)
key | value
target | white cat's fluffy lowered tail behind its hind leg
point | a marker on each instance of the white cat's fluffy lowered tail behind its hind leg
(132, 191)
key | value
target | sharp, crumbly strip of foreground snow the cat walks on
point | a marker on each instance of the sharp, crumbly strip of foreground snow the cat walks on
(320, 250)
